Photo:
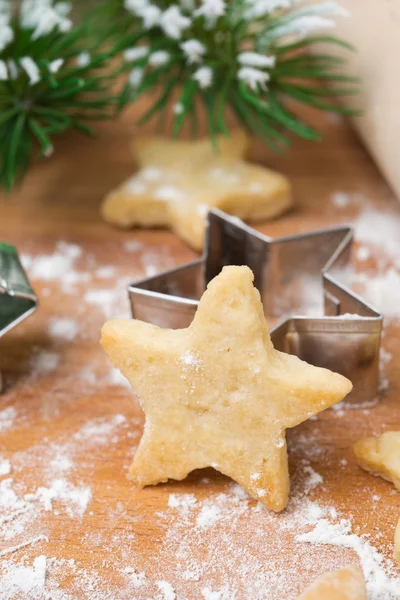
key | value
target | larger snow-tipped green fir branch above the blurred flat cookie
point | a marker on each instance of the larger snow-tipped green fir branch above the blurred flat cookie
(248, 56)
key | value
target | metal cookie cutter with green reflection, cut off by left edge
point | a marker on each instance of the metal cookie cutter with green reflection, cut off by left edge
(17, 298)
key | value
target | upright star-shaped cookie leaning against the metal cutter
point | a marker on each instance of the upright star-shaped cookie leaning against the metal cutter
(218, 393)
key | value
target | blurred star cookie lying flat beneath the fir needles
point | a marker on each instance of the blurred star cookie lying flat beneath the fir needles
(178, 181)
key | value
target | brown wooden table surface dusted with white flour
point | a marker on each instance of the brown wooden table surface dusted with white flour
(66, 416)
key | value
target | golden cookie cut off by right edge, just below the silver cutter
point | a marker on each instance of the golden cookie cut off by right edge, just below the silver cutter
(380, 456)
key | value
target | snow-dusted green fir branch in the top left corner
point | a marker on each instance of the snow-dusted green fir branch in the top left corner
(54, 76)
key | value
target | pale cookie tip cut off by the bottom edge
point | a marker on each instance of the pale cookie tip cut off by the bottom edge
(346, 584)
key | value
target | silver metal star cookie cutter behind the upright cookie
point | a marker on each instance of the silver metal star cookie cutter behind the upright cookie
(344, 337)
